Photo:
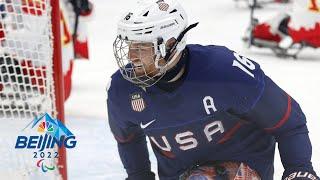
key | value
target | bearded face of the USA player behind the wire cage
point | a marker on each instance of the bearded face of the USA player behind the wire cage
(142, 57)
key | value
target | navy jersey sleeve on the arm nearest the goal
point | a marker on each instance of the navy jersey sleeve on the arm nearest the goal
(131, 141)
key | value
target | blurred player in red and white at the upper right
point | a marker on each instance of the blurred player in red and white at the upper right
(301, 25)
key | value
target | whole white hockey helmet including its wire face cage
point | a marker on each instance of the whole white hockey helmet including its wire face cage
(152, 21)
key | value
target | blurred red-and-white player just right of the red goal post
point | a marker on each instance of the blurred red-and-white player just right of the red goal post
(75, 15)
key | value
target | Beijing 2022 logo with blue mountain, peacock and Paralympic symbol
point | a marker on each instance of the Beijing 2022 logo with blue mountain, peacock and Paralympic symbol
(49, 133)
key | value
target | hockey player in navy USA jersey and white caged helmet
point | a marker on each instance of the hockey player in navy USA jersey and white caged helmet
(200, 106)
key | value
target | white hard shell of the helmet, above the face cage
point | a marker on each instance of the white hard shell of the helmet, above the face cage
(153, 19)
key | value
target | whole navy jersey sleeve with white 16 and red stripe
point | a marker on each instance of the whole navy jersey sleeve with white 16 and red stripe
(256, 98)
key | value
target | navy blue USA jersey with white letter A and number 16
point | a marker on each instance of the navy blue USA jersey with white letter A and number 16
(226, 109)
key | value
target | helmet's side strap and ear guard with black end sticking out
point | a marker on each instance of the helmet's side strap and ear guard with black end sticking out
(168, 55)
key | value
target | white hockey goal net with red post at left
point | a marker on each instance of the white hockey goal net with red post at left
(30, 83)
